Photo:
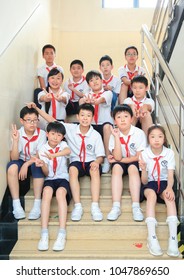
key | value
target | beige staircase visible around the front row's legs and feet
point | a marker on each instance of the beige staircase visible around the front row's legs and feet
(121, 239)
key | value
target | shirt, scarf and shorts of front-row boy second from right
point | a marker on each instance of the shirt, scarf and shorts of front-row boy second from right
(132, 143)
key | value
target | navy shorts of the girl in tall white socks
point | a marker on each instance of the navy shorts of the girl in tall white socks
(153, 186)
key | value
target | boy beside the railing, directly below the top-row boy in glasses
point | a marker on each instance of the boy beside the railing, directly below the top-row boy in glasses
(142, 106)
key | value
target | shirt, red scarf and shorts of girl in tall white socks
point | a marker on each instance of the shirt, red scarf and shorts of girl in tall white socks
(157, 168)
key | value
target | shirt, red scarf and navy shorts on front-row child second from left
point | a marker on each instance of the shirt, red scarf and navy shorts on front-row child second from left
(58, 171)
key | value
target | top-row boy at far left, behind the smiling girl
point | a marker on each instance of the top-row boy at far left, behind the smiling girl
(49, 54)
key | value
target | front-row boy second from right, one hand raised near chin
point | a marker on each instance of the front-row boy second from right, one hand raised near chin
(126, 143)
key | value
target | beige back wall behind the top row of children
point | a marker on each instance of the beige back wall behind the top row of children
(83, 30)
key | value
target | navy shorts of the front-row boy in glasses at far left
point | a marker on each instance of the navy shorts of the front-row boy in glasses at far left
(36, 172)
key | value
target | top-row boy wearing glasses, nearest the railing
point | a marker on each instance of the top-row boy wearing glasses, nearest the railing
(128, 72)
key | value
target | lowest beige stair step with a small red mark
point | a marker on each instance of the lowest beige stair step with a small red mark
(92, 249)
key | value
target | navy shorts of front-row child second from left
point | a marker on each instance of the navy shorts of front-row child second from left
(58, 183)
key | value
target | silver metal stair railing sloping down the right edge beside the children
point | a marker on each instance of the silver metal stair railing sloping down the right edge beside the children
(157, 62)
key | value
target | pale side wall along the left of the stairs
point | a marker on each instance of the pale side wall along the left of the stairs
(26, 29)
